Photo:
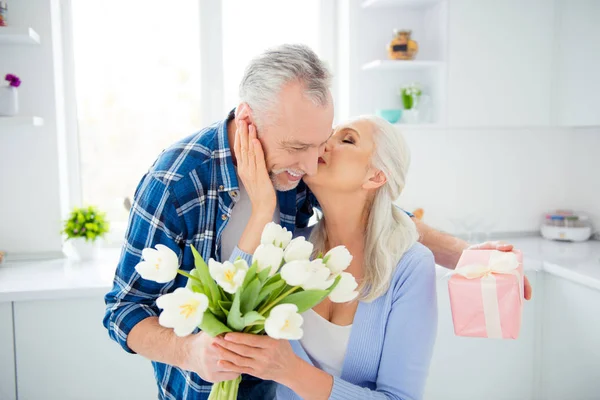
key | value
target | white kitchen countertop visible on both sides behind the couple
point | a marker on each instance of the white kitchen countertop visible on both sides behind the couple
(63, 278)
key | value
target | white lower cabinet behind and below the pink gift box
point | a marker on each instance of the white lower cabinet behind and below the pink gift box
(464, 368)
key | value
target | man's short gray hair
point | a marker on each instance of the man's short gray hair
(266, 75)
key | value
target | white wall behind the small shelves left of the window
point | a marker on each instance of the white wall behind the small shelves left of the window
(29, 174)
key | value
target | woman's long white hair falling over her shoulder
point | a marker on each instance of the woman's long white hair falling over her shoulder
(389, 232)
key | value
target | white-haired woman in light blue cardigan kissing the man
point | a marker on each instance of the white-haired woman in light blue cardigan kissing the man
(378, 346)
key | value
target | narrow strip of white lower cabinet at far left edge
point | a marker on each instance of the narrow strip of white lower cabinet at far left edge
(7, 354)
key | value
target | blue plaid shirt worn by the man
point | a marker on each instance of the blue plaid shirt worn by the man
(186, 198)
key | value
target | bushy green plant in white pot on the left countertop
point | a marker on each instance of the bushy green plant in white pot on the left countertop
(83, 228)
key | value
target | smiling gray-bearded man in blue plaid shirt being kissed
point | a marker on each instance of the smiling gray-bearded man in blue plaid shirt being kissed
(192, 196)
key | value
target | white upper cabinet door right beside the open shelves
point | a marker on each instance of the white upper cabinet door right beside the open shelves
(500, 62)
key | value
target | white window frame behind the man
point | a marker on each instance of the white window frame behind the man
(211, 87)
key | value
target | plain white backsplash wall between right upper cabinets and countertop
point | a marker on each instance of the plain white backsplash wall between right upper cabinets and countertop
(502, 180)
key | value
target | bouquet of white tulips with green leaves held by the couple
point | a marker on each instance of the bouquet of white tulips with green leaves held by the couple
(264, 298)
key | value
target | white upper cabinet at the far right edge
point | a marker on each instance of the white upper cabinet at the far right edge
(577, 62)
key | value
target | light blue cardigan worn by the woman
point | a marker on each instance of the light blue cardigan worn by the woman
(391, 341)
